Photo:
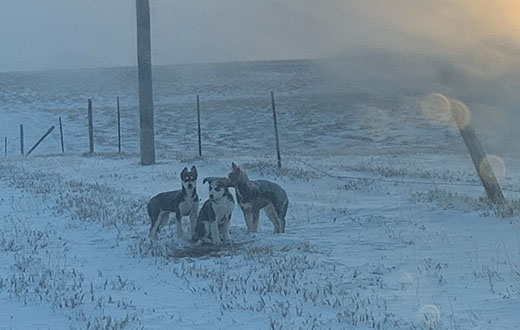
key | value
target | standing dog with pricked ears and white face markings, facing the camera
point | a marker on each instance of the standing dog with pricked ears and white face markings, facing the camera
(184, 202)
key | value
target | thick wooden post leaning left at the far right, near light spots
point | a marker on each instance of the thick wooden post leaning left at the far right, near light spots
(482, 165)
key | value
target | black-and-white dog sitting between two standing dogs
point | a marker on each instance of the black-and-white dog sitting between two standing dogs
(215, 216)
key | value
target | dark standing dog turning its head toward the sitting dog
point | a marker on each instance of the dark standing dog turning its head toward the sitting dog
(252, 196)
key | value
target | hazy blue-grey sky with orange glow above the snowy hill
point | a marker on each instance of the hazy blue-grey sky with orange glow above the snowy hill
(49, 34)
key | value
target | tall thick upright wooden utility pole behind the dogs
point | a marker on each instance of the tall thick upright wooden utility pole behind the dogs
(144, 68)
